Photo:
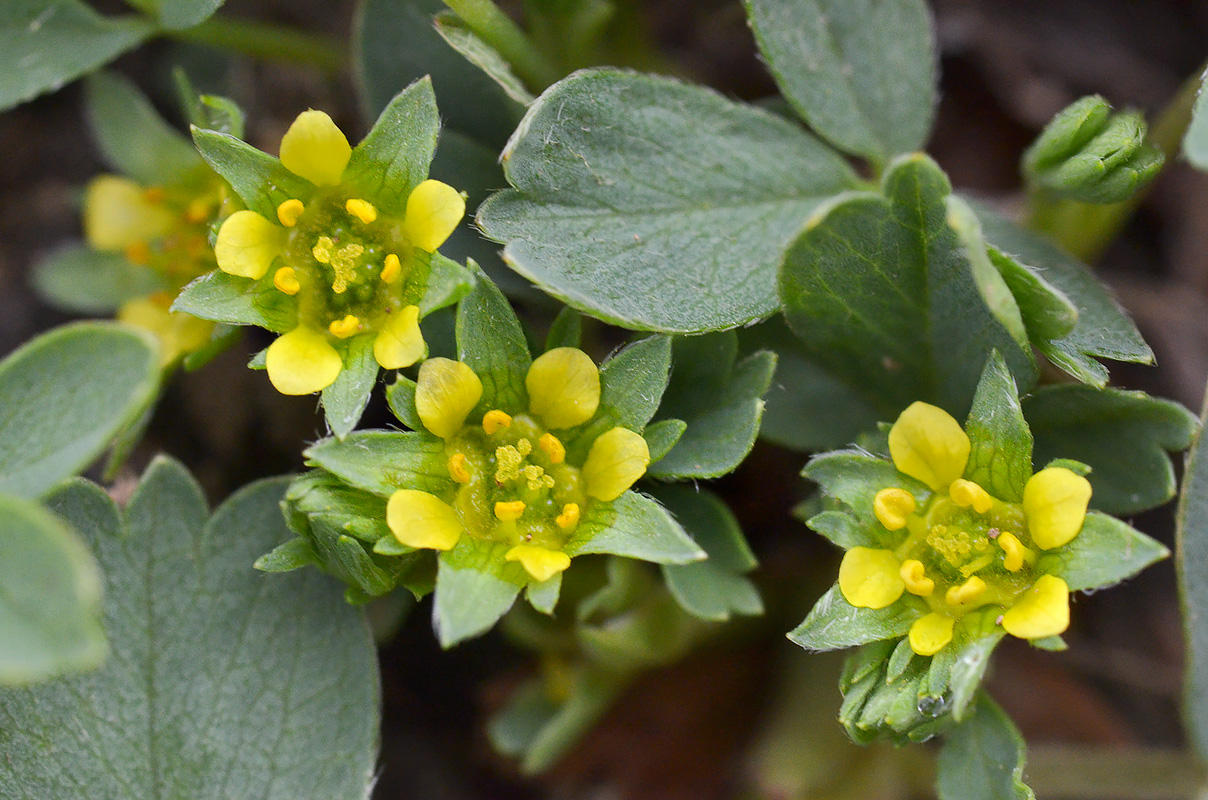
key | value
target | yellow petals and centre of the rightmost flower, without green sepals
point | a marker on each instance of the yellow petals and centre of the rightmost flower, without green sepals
(960, 549)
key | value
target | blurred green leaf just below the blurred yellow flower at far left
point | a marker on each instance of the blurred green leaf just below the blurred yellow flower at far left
(78, 280)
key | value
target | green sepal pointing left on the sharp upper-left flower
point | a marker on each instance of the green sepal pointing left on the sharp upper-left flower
(239, 302)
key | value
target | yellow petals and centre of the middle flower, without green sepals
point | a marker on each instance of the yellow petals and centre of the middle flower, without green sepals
(515, 482)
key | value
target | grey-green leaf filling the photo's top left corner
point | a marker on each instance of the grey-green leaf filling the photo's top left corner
(49, 43)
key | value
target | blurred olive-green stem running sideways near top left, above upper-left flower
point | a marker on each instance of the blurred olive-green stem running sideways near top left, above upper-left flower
(263, 40)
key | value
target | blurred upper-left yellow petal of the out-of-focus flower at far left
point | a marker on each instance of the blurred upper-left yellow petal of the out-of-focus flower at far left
(118, 215)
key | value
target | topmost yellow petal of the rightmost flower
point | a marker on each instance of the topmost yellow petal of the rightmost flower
(930, 445)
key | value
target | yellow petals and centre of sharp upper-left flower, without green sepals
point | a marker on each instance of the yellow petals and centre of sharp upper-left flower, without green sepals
(352, 266)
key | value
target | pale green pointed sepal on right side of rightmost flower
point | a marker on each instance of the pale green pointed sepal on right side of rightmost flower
(1106, 552)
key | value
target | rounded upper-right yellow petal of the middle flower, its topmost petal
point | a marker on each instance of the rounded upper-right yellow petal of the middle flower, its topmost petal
(565, 387)
